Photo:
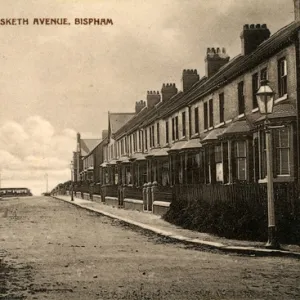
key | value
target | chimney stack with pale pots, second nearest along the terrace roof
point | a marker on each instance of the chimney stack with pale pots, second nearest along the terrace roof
(215, 59)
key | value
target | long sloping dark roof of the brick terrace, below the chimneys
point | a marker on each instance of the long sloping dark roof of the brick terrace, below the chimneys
(235, 67)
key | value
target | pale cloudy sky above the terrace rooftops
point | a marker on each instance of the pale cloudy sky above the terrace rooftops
(59, 80)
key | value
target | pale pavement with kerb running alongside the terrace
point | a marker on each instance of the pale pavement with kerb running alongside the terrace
(155, 224)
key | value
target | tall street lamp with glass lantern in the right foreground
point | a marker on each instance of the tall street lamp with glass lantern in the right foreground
(265, 101)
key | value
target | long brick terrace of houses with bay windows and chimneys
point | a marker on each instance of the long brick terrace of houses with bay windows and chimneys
(211, 132)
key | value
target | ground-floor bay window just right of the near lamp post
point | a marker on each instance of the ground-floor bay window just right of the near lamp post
(282, 148)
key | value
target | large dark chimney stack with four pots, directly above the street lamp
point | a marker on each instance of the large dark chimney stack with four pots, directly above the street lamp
(252, 36)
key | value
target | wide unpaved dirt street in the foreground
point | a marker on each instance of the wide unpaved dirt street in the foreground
(50, 249)
